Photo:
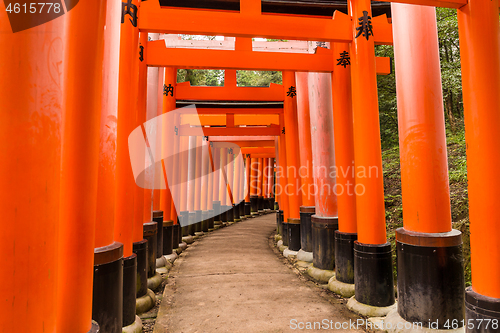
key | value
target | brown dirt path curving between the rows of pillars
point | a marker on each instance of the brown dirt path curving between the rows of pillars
(232, 281)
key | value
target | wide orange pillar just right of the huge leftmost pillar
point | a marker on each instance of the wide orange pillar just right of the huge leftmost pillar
(79, 165)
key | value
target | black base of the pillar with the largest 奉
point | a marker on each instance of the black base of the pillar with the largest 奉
(373, 277)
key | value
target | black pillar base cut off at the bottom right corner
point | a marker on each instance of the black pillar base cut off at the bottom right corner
(481, 309)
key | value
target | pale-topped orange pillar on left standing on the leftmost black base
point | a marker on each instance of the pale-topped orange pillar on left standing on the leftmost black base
(107, 296)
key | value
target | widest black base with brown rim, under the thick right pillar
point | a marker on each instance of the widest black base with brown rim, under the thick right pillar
(430, 277)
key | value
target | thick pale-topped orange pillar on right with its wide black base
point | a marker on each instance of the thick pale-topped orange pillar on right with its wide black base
(429, 252)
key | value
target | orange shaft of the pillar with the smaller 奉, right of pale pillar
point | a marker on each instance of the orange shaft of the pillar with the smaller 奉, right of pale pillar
(343, 139)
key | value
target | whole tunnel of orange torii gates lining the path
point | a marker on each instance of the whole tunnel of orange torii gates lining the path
(72, 93)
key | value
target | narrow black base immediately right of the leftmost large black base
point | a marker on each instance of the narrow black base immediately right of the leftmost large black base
(129, 286)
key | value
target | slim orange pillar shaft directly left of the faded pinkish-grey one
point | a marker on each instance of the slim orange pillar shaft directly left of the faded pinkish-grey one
(306, 167)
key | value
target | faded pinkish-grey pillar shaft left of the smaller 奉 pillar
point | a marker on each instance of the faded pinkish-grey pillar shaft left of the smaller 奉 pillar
(321, 113)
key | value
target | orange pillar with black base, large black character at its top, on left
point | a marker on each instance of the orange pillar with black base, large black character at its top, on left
(125, 184)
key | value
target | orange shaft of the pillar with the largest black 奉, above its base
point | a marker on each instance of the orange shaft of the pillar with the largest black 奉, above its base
(370, 209)
